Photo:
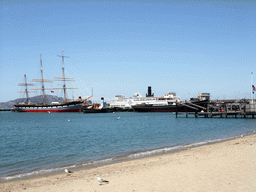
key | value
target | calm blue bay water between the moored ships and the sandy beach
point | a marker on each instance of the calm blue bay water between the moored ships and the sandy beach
(36, 143)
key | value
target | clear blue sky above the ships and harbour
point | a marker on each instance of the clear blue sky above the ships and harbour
(123, 46)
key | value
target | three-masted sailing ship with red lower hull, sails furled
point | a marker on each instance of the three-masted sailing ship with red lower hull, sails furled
(65, 106)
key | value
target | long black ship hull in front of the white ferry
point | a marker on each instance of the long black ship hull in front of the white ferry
(172, 108)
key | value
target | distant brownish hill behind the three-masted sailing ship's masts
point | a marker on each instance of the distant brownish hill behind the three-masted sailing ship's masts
(36, 99)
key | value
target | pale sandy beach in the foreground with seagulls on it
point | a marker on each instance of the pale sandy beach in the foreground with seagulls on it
(225, 166)
